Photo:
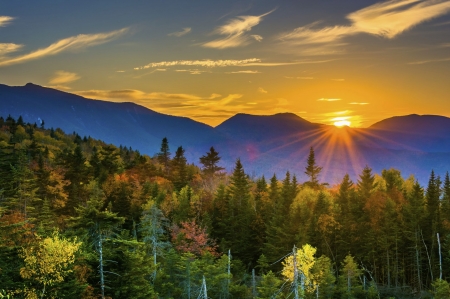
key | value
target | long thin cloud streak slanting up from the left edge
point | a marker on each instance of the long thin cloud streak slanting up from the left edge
(68, 44)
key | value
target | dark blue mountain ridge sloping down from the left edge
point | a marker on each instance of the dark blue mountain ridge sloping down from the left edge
(117, 123)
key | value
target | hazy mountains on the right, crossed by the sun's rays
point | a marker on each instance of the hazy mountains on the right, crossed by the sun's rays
(281, 142)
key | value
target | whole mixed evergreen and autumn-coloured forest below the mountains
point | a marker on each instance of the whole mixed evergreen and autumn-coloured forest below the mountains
(83, 219)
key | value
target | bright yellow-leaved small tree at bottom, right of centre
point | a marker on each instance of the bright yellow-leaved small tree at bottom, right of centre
(305, 262)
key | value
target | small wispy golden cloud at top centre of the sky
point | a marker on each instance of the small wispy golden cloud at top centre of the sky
(235, 31)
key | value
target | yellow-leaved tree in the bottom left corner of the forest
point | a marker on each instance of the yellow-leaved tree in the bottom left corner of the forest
(48, 262)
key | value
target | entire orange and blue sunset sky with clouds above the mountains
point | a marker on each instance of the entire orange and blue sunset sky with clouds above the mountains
(325, 60)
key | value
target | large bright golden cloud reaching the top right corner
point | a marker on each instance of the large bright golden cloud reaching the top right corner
(387, 19)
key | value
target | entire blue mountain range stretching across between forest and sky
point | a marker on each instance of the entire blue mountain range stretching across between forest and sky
(266, 144)
